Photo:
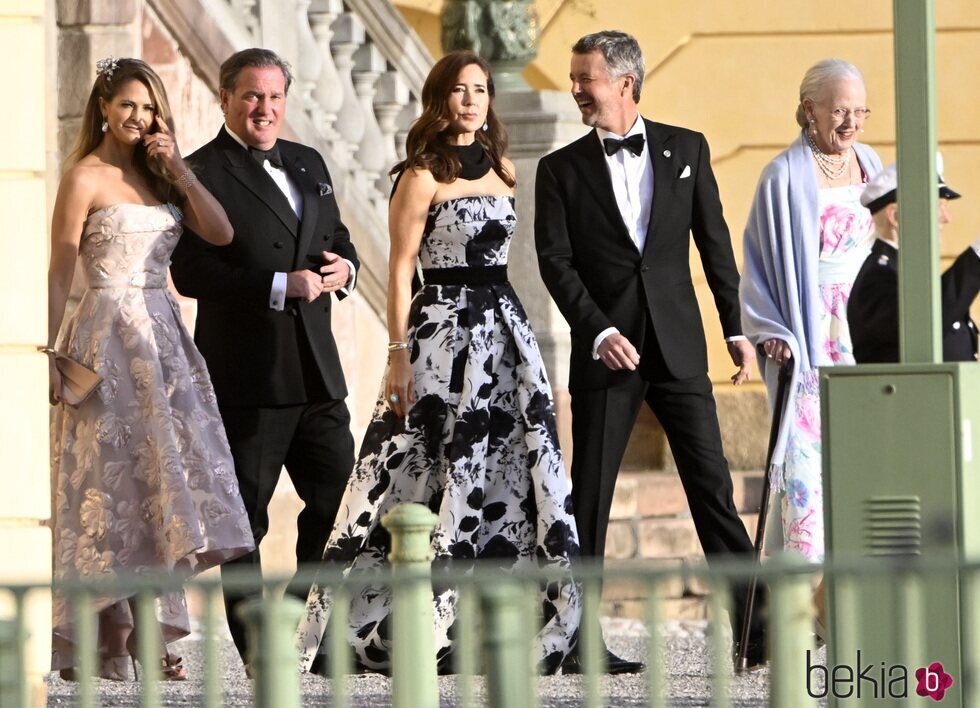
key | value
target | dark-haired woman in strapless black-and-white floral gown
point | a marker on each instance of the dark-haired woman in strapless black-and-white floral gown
(465, 422)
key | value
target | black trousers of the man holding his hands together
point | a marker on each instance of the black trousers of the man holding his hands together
(315, 445)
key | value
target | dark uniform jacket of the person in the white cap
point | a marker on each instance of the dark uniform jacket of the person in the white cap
(872, 309)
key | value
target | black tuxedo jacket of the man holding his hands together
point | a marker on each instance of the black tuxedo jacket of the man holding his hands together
(258, 356)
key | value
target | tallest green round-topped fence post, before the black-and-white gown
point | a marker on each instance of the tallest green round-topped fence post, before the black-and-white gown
(413, 663)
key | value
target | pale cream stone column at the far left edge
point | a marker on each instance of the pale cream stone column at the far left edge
(25, 540)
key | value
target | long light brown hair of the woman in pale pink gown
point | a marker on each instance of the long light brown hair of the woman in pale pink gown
(90, 135)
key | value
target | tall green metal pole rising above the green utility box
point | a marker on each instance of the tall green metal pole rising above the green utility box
(915, 101)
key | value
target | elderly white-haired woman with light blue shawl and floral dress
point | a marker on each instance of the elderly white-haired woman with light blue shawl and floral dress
(806, 238)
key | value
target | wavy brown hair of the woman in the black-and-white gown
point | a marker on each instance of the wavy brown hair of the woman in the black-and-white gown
(427, 147)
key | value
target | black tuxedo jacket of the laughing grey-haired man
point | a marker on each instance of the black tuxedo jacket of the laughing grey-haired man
(598, 277)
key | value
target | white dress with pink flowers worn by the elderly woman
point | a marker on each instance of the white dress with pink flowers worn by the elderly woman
(845, 240)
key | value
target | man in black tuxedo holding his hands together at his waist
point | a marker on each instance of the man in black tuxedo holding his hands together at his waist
(263, 321)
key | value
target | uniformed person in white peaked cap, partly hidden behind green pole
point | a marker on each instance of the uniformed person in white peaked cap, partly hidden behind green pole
(872, 309)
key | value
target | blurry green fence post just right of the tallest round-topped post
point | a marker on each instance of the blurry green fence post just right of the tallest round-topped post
(507, 650)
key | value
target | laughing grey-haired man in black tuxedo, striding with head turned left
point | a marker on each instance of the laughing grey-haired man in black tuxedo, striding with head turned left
(614, 212)
